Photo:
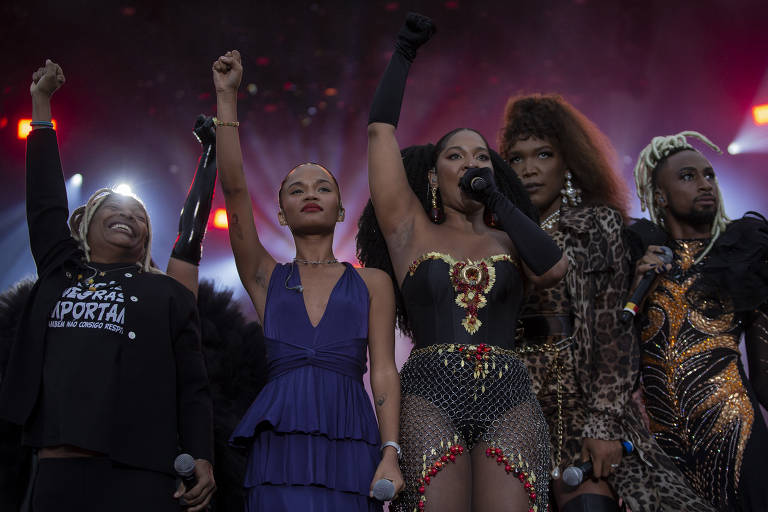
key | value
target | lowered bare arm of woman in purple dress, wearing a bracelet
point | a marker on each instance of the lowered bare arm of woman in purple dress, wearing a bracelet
(385, 381)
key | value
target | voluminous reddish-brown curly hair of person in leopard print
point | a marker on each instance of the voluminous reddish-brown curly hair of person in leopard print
(586, 151)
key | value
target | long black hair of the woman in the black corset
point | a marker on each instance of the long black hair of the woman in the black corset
(418, 160)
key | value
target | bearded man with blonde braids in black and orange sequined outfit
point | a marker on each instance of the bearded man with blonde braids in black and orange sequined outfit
(703, 409)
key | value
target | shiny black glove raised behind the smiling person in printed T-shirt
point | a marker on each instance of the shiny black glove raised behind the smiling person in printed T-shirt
(197, 207)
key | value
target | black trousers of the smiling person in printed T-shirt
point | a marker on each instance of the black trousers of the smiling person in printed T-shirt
(96, 484)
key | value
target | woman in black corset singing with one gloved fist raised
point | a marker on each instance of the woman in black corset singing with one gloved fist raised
(472, 432)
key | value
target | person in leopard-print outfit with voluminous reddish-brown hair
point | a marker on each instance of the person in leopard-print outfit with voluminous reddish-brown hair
(583, 360)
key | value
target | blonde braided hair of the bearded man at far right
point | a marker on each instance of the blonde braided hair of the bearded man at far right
(651, 158)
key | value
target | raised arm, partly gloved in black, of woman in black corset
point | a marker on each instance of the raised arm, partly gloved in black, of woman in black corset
(397, 208)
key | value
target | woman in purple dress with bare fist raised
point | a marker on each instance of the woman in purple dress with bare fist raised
(312, 431)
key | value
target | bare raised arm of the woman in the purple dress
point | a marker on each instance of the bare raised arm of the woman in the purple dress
(254, 263)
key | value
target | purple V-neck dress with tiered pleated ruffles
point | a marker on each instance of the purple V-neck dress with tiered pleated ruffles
(312, 430)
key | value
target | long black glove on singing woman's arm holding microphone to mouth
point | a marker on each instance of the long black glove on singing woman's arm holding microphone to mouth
(535, 247)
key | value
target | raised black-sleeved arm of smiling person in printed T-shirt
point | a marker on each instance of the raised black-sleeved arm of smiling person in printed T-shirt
(47, 210)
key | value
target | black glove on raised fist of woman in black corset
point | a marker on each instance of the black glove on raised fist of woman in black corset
(388, 98)
